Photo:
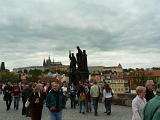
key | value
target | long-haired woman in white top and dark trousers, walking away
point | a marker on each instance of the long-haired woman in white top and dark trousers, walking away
(107, 95)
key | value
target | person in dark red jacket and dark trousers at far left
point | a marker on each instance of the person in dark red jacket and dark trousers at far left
(16, 95)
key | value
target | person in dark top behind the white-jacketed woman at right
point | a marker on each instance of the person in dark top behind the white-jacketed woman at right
(149, 90)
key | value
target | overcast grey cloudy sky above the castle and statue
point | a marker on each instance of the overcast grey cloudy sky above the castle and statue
(111, 31)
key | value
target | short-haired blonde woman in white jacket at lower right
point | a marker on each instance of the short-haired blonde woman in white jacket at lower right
(138, 103)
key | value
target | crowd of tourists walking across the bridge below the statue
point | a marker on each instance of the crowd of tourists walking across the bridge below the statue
(54, 95)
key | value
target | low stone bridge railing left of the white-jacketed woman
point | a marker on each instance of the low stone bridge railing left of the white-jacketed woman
(124, 99)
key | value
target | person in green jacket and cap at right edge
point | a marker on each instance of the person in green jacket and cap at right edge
(152, 108)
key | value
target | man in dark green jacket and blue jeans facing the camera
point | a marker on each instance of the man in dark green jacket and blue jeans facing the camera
(55, 101)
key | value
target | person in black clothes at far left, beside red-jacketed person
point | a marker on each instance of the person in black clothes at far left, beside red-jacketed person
(8, 95)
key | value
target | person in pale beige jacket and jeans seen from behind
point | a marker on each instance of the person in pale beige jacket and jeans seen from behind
(95, 94)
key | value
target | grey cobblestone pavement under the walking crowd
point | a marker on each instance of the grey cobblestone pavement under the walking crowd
(118, 113)
